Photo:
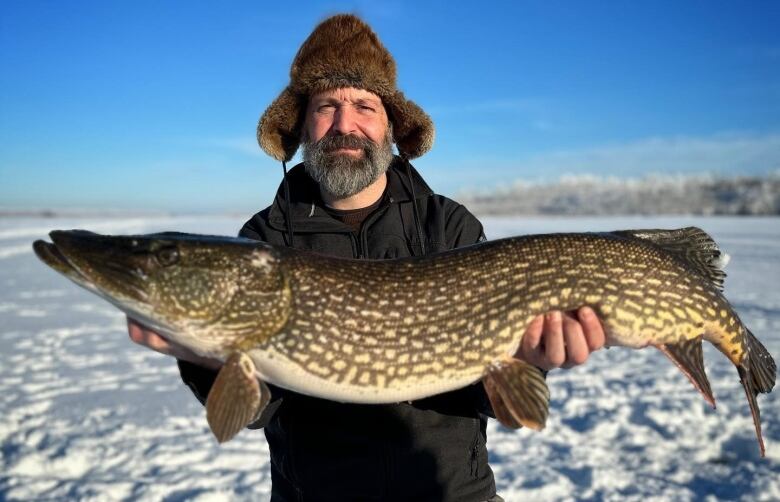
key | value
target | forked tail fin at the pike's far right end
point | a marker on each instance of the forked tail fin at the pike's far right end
(757, 375)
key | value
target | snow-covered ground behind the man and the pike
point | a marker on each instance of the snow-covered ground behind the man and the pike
(86, 415)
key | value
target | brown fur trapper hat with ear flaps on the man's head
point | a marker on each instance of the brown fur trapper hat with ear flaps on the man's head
(342, 51)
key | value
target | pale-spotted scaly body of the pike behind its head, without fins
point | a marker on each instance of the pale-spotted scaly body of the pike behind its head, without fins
(389, 327)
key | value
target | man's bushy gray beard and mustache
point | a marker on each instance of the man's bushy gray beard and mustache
(342, 175)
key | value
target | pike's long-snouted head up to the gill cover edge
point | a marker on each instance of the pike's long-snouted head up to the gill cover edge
(208, 293)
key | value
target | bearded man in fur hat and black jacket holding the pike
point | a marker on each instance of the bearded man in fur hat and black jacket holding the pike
(352, 197)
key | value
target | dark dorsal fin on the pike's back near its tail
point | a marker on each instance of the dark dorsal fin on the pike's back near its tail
(693, 245)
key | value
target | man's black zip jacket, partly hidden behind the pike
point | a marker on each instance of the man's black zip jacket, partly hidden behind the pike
(431, 449)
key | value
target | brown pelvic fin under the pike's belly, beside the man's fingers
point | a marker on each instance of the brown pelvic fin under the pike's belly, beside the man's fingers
(518, 393)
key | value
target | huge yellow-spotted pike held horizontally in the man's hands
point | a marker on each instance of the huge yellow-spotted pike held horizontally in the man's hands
(397, 330)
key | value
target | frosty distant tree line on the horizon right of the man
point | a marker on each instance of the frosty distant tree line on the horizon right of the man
(657, 194)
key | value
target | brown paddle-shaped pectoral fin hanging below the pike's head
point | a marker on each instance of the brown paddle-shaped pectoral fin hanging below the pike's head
(236, 397)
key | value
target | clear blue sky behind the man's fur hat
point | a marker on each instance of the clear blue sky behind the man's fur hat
(154, 104)
